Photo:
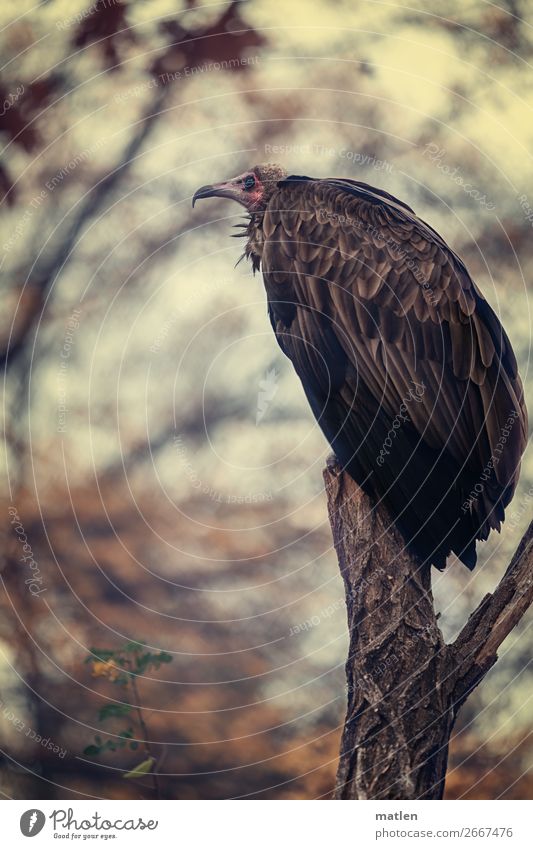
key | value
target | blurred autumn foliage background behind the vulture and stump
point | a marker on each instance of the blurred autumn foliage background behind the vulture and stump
(161, 461)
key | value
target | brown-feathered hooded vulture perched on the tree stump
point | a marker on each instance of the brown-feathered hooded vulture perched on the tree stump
(406, 367)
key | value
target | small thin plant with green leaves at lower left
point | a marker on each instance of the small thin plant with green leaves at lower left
(123, 667)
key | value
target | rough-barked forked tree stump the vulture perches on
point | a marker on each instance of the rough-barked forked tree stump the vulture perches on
(405, 684)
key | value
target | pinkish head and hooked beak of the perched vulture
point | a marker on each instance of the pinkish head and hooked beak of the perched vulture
(253, 189)
